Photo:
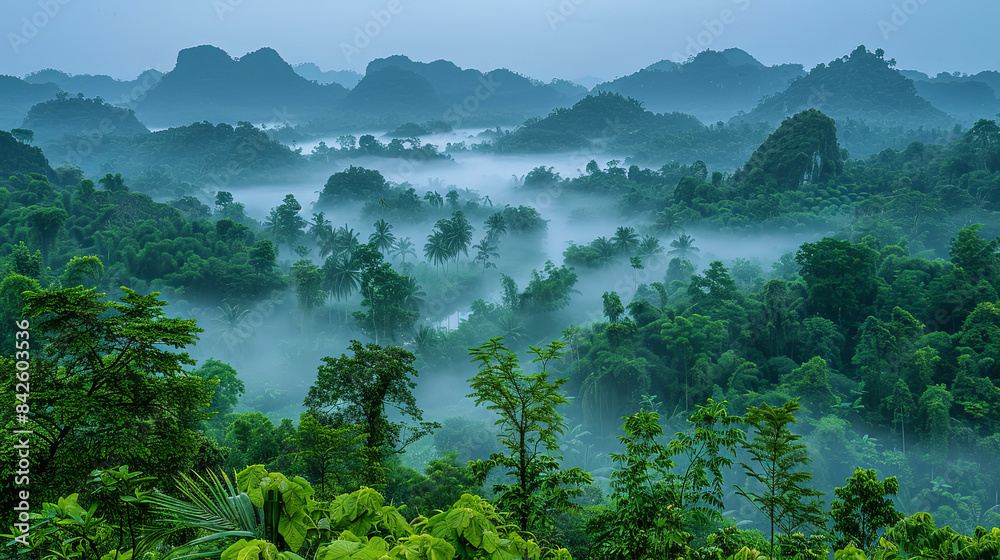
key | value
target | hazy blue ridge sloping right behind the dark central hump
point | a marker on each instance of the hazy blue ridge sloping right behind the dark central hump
(497, 90)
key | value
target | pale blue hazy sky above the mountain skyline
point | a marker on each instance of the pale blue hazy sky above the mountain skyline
(540, 38)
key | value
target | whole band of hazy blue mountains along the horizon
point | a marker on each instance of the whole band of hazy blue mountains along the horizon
(207, 84)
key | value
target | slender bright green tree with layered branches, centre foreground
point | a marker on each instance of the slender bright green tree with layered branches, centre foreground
(529, 425)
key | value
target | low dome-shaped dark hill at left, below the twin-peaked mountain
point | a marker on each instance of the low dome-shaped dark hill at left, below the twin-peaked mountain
(79, 116)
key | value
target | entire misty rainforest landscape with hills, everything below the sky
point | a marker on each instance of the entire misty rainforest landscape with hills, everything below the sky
(551, 322)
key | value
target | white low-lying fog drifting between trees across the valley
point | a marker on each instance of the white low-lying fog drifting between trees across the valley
(278, 363)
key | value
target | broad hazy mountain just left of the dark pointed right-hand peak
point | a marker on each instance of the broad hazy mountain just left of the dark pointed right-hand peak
(713, 86)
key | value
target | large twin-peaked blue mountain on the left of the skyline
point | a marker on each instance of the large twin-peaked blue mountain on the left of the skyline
(208, 84)
